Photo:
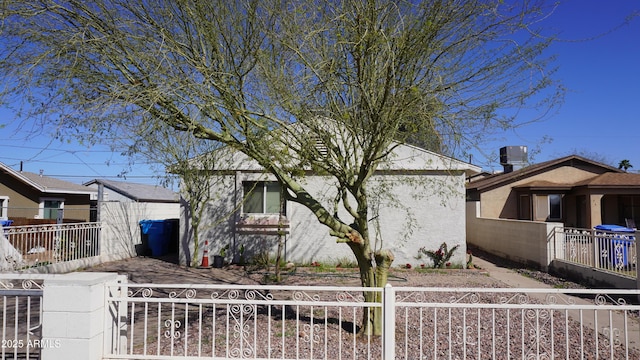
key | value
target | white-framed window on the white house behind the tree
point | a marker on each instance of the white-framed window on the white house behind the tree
(261, 197)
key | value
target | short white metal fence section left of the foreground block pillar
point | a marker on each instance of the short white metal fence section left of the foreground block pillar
(21, 320)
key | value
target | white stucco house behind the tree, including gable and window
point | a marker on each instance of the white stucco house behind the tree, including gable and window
(416, 196)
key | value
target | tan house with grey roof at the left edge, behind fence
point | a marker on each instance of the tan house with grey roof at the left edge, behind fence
(25, 196)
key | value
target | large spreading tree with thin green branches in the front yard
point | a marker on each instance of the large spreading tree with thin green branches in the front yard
(353, 77)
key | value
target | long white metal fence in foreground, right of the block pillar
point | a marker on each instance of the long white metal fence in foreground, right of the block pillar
(279, 322)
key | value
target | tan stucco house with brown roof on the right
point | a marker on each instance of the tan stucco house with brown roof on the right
(572, 190)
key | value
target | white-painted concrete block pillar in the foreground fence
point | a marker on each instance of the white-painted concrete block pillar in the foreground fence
(73, 318)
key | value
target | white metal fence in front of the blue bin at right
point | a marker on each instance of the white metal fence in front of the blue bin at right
(610, 251)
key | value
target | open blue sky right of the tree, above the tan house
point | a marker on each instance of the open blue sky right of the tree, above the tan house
(600, 117)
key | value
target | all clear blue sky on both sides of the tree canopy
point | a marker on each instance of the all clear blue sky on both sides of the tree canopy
(600, 117)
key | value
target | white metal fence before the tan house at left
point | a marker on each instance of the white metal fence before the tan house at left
(37, 245)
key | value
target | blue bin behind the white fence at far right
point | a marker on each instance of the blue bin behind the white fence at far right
(614, 242)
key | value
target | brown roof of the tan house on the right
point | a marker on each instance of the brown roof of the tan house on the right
(504, 178)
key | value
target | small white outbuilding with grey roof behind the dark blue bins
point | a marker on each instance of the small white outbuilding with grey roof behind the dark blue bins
(122, 205)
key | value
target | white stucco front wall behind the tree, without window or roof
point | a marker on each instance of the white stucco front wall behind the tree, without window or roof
(413, 211)
